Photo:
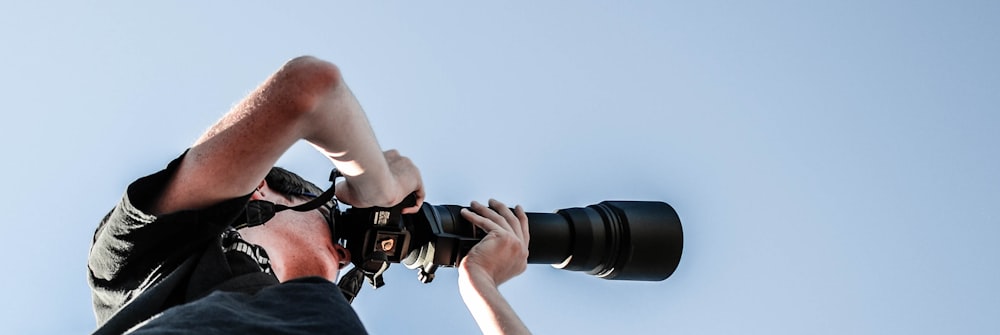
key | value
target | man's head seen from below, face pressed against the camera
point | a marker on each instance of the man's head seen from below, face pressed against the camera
(299, 244)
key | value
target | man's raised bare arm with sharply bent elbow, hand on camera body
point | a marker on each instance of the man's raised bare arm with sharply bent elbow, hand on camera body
(306, 99)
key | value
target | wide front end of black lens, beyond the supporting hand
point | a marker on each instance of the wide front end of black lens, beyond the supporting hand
(620, 240)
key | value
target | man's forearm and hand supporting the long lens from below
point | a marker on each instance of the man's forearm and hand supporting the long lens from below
(498, 257)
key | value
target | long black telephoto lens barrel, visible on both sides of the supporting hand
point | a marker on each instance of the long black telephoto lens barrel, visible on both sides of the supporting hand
(619, 240)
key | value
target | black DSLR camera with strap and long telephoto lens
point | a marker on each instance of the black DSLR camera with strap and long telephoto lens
(620, 240)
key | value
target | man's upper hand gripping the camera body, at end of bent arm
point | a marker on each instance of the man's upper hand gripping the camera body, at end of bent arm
(406, 180)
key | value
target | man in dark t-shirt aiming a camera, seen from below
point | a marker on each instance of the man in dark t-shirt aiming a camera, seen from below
(167, 259)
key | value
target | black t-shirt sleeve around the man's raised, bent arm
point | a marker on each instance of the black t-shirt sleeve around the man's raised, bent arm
(132, 249)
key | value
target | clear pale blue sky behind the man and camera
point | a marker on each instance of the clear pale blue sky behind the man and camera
(835, 165)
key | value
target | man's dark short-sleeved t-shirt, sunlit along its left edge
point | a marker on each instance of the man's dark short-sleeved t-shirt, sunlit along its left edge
(188, 272)
